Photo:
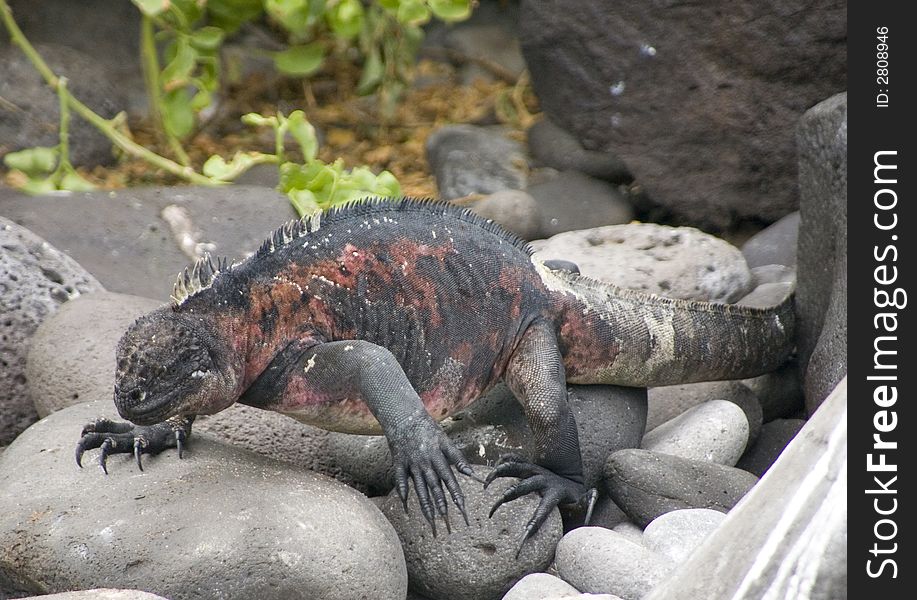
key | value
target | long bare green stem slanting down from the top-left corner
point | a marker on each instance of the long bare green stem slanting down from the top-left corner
(126, 144)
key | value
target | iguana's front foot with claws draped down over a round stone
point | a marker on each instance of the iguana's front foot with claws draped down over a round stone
(425, 455)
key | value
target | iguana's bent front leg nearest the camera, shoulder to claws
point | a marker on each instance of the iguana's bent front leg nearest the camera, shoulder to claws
(327, 384)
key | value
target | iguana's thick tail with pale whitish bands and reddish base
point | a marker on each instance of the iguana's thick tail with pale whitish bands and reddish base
(619, 336)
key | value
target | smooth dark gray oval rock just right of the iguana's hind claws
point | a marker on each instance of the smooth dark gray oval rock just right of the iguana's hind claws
(648, 484)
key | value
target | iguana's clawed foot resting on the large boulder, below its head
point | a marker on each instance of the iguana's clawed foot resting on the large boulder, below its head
(115, 437)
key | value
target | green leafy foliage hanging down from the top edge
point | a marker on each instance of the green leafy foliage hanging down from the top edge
(189, 34)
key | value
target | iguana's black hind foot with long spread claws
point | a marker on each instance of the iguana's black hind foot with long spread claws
(554, 489)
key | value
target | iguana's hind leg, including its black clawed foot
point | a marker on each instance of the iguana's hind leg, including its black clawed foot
(535, 374)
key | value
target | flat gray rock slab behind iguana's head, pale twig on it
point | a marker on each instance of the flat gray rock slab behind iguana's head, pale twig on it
(133, 250)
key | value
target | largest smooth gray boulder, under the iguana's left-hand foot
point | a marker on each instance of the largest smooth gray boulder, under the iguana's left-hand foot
(254, 527)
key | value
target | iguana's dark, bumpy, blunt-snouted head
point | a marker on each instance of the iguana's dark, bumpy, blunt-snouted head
(170, 364)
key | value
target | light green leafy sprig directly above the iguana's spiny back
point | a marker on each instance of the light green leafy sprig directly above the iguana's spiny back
(311, 185)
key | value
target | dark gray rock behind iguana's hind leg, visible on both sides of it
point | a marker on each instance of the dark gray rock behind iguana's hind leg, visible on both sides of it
(608, 418)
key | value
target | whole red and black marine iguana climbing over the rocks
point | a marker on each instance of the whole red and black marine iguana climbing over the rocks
(389, 315)
